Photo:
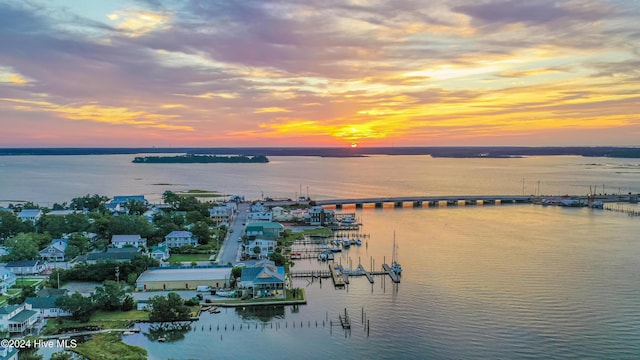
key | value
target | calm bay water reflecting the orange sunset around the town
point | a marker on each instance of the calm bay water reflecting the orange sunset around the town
(500, 282)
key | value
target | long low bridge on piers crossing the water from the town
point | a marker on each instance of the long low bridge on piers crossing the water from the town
(420, 201)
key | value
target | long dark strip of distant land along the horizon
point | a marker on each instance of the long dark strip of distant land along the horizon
(448, 152)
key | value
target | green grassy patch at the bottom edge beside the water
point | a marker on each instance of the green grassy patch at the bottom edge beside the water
(109, 346)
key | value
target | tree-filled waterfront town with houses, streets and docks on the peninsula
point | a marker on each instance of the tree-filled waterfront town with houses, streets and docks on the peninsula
(135, 256)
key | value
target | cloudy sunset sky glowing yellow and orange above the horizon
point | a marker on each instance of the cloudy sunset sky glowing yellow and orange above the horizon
(206, 73)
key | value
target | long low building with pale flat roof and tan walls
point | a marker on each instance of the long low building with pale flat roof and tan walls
(183, 278)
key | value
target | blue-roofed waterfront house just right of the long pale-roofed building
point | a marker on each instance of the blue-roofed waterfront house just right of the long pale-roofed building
(264, 281)
